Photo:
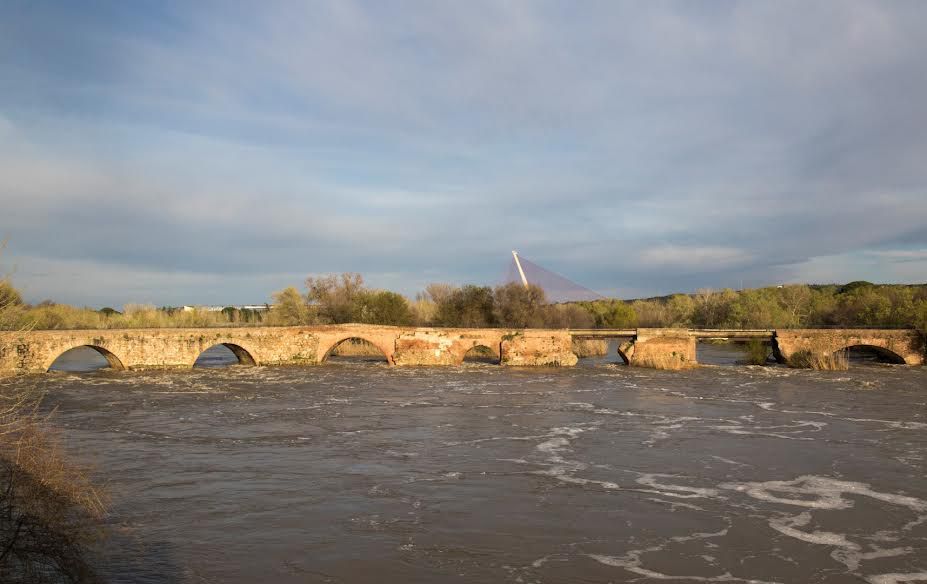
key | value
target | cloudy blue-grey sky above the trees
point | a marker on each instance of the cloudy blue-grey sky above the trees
(213, 152)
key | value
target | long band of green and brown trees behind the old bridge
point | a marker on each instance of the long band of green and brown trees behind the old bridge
(345, 298)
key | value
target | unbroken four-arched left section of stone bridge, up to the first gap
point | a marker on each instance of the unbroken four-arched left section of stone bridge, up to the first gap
(35, 351)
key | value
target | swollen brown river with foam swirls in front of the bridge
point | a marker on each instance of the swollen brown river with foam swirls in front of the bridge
(357, 472)
